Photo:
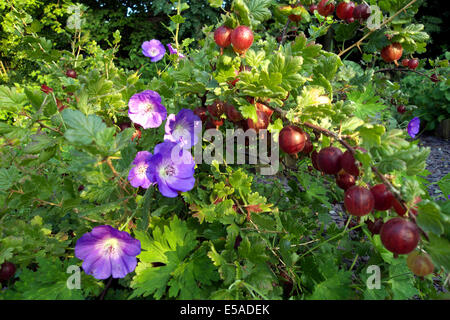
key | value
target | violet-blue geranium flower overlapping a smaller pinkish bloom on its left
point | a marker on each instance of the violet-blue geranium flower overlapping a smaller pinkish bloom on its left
(172, 168)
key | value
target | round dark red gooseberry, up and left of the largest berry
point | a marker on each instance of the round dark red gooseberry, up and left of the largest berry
(358, 201)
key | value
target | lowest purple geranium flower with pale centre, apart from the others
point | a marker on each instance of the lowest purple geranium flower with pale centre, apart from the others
(107, 252)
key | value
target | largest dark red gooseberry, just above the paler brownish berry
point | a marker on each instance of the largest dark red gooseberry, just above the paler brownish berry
(399, 235)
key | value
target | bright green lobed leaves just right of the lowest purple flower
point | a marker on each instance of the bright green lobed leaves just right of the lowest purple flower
(187, 272)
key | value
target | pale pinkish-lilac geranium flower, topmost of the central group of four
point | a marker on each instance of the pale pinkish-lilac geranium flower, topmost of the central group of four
(145, 108)
